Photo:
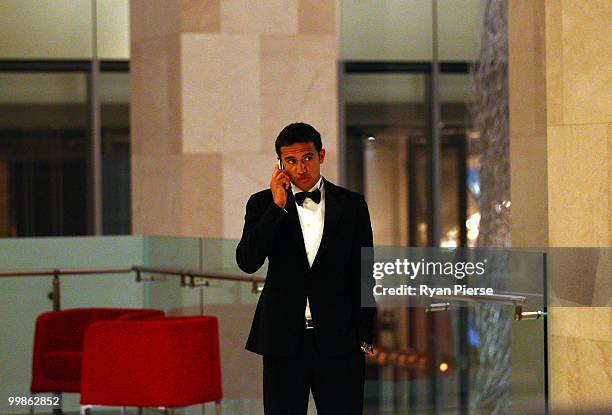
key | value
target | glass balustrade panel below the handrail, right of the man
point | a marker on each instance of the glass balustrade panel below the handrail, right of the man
(447, 362)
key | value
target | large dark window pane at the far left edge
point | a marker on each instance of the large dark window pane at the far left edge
(43, 154)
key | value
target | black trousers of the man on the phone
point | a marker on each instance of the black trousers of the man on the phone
(336, 382)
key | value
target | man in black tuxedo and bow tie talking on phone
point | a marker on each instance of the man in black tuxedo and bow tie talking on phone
(309, 324)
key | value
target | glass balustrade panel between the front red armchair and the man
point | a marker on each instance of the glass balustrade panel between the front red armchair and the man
(232, 302)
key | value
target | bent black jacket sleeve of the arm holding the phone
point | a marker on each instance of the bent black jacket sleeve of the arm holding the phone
(260, 226)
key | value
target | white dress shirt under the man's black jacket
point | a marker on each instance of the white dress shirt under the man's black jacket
(312, 219)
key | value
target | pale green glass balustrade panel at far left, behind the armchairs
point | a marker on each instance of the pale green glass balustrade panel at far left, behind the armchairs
(23, 298)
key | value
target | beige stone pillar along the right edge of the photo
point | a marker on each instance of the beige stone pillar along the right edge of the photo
(561, 173)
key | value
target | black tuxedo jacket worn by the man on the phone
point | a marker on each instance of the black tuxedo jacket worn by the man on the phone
(333, 284)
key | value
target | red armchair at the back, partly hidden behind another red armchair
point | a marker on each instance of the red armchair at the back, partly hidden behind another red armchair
(58, 344)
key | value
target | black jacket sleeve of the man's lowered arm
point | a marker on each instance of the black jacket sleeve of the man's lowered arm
(367, 311)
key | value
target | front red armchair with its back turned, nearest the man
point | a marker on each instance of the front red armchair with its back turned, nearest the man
(162, 362)
